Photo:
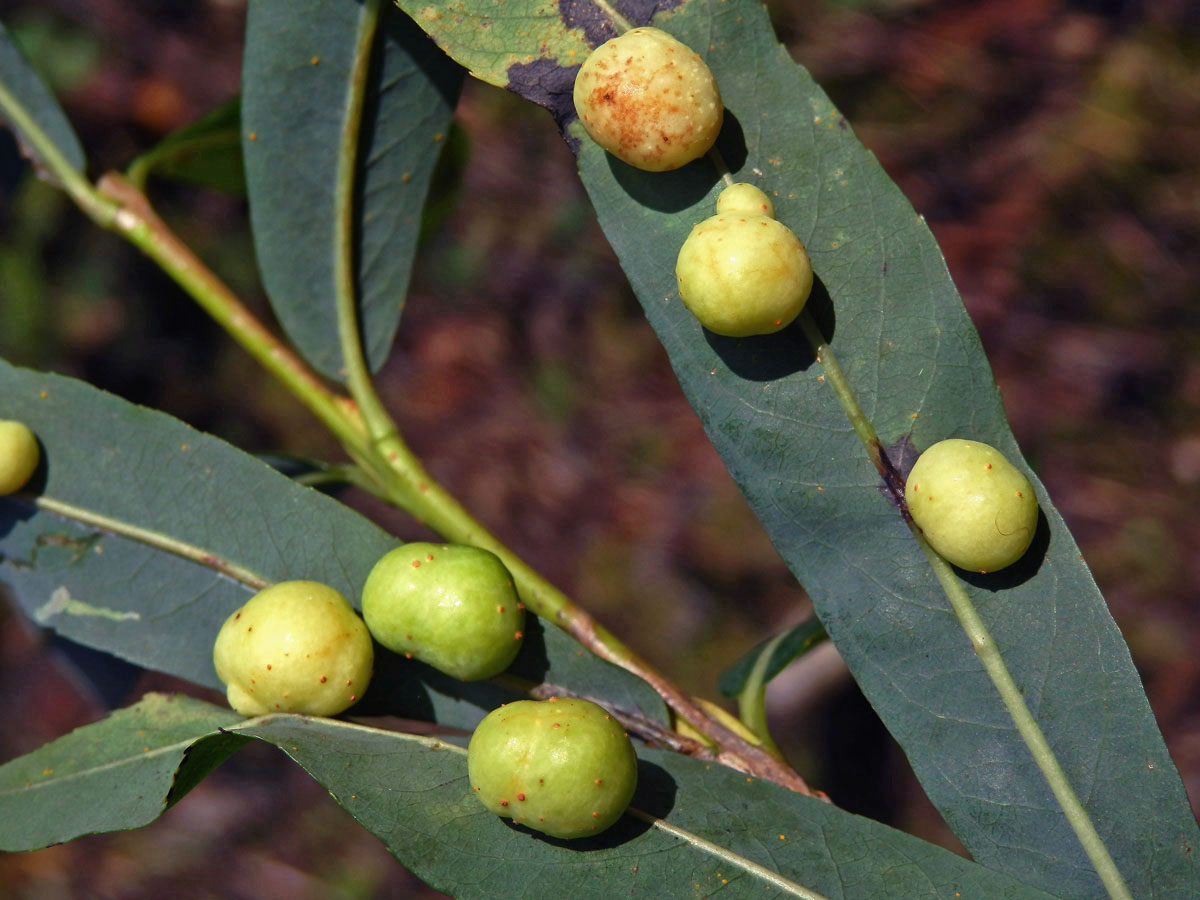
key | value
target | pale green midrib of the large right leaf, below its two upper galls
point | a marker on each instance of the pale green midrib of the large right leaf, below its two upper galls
(981, 640)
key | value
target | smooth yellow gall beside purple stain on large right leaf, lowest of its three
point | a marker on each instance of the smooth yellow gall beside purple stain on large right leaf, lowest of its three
(976, 509)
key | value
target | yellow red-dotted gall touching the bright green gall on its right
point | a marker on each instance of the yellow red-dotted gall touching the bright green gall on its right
(295, 647)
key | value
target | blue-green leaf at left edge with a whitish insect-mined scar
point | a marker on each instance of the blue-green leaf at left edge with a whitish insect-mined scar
(141, 536)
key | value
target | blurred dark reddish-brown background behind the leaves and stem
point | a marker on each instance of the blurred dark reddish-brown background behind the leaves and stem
(1053, 148)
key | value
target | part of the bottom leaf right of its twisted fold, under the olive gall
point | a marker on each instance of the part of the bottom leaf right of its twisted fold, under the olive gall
(723, 835)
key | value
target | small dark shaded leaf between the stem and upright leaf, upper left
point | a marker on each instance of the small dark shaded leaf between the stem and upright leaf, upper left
(206, 153)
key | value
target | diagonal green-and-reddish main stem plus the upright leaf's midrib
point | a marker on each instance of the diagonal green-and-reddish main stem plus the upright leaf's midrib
(121, 207)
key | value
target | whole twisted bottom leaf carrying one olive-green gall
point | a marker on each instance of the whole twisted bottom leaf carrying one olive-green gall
(723, 831)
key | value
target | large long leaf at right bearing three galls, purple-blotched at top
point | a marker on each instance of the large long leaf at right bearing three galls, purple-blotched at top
(895, 320)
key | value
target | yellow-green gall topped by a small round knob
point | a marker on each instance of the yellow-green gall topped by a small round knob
(742, 273)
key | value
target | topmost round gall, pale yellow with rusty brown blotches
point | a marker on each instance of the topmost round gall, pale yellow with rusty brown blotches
(650, 100)
